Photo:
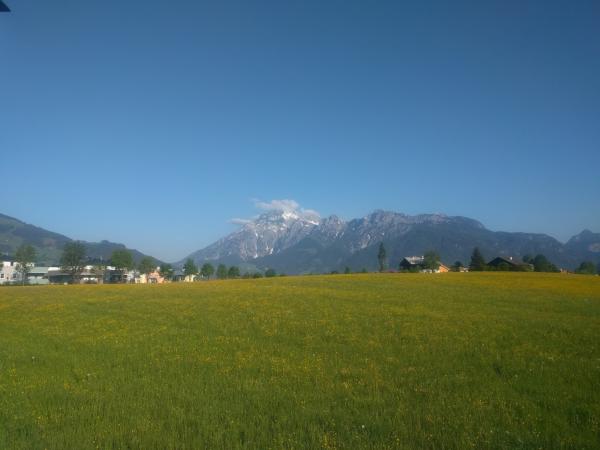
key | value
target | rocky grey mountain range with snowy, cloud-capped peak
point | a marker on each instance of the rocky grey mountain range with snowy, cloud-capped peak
(293, 240)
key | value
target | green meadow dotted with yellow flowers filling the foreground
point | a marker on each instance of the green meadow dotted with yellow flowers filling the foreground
(489, 360)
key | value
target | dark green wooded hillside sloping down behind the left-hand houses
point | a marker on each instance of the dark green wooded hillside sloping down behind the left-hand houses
(49, 245)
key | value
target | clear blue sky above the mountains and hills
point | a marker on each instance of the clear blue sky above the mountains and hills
(154, 123)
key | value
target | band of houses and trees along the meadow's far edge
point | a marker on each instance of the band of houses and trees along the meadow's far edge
(22, 270)
